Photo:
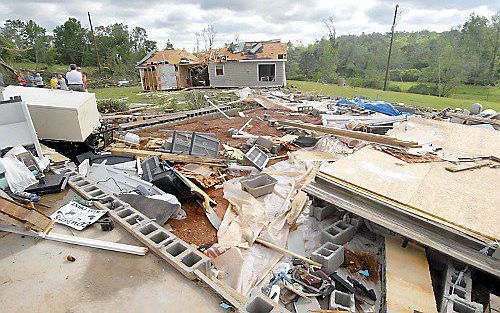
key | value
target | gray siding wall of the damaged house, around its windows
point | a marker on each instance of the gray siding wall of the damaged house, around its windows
(245, 74)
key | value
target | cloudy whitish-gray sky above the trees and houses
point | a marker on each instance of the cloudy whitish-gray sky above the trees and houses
(295, 20)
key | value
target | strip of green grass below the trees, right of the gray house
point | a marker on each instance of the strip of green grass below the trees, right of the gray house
(397, 97)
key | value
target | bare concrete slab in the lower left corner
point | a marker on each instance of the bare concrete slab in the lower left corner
(36, 277)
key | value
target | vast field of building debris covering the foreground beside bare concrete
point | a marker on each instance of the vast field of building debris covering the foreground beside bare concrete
(278, 201)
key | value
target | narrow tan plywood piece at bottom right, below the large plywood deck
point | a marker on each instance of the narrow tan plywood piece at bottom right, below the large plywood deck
(408, 281)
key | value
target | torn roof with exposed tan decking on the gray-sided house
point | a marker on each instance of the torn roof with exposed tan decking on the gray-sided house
(259, 50)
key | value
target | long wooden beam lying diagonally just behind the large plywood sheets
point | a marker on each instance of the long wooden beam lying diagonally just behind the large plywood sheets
(375, 138)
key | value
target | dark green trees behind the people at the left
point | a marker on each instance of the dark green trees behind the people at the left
(119, 47)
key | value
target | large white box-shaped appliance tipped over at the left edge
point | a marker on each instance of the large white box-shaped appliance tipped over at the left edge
(58, 114)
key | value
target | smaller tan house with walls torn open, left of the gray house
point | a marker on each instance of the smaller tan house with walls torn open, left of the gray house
(168, 69)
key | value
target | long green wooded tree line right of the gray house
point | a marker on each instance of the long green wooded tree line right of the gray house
(438, 62)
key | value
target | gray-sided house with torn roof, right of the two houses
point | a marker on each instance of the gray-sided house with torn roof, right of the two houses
(249, 64)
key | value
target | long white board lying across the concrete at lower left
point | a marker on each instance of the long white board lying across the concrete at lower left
(86, 242)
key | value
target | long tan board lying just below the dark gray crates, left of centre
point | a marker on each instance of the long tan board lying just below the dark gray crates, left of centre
(171, 157)
